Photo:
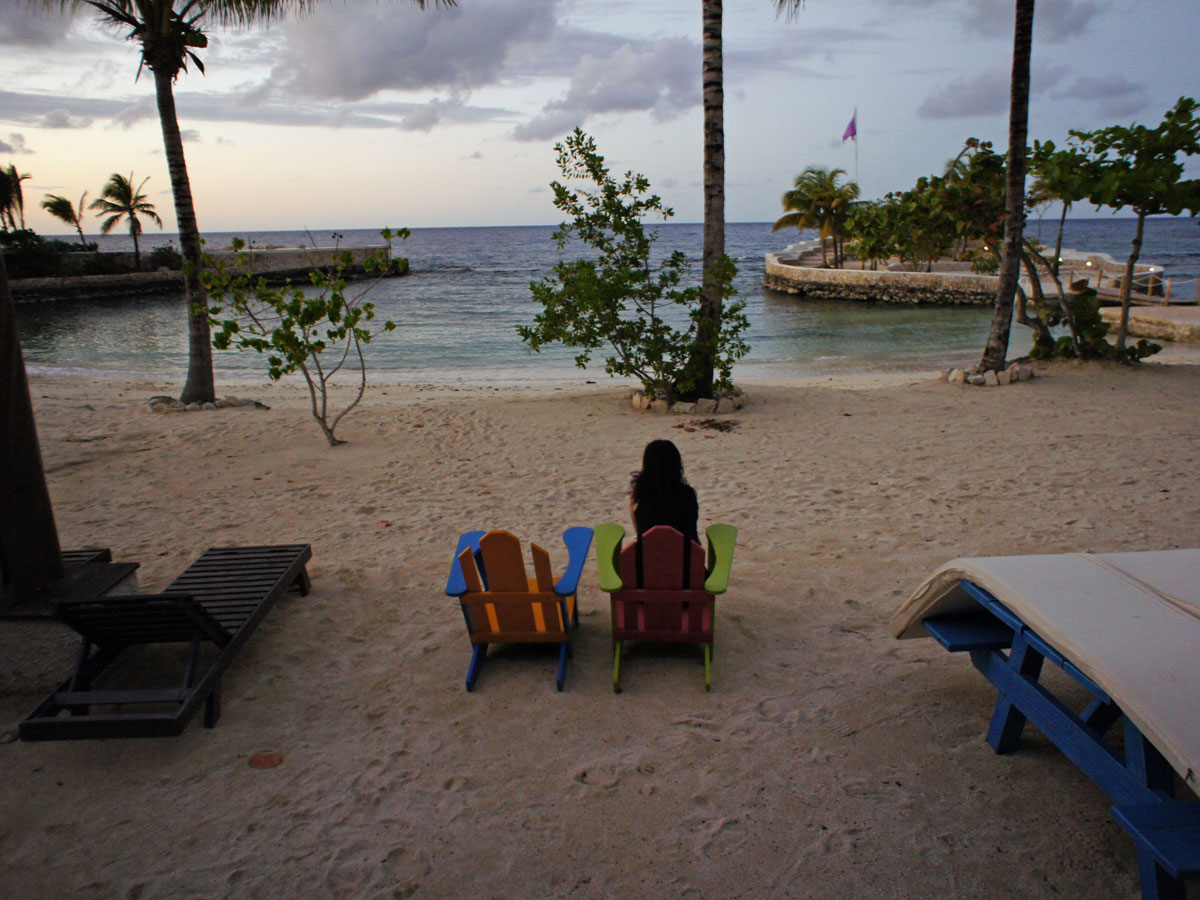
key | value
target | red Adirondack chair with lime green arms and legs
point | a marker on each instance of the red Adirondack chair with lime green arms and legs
(662, 589)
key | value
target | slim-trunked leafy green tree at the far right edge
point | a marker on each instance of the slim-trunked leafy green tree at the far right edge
(1139, 167)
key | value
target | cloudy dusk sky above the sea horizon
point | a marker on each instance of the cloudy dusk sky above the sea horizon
(373, 113)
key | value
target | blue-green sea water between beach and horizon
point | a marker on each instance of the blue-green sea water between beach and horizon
(458, 311)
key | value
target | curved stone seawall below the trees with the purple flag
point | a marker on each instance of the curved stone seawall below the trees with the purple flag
(914, 289)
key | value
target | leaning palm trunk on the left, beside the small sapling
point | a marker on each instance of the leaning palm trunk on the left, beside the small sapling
(199, 388)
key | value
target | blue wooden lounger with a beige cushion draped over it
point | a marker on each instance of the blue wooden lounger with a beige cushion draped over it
(1126, 628)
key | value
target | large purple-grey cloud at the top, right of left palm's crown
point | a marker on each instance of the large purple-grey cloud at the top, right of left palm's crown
(334, 56)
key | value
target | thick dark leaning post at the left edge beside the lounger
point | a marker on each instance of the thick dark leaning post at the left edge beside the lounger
(31, 557)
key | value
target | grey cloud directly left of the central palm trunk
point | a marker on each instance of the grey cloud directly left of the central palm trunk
(662, 79)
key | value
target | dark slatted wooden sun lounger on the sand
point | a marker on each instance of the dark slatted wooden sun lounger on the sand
(214, 607)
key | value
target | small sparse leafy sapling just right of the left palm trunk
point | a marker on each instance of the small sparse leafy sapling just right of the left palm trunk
(297, 327)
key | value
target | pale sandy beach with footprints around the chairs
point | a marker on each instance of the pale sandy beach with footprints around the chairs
(830, 761)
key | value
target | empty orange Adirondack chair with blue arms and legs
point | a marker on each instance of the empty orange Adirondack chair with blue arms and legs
(503, 605)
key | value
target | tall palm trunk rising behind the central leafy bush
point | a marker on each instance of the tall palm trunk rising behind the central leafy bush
(712, 77)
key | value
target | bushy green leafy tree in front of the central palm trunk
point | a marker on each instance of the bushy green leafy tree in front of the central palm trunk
(620, 299)
